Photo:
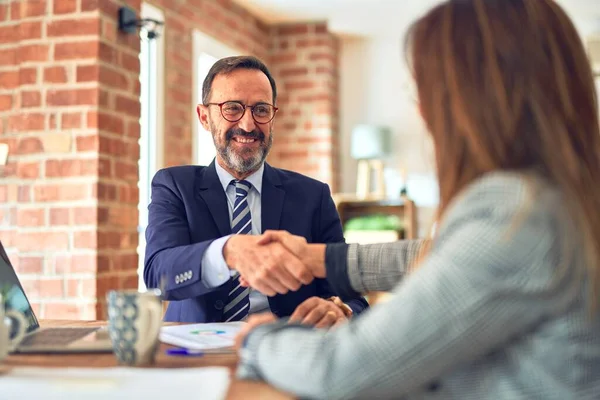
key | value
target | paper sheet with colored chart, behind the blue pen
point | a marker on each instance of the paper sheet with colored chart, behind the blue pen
(208, 337)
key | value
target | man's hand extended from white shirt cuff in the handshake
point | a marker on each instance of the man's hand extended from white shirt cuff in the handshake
(270, 268)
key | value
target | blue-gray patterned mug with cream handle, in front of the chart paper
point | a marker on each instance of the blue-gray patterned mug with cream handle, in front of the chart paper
(134, 322)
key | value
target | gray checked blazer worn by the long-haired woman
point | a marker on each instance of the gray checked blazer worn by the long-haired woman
(499, 309)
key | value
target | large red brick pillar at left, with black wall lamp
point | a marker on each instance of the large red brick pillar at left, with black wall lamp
(69, 91)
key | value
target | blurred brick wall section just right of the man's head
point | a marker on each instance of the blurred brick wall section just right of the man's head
(304, 61)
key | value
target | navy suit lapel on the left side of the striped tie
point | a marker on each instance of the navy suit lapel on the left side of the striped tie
(208, 188)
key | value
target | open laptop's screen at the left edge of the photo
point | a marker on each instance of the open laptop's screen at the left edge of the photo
(13, 295)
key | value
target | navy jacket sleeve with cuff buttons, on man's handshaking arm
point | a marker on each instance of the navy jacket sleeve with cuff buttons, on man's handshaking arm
(172, 262)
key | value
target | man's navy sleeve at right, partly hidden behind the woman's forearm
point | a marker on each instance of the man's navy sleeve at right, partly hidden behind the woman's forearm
(330, 231)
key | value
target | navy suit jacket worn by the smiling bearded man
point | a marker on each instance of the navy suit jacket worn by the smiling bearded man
(189, 210)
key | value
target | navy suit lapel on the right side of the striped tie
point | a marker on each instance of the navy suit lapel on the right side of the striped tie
(271, 199)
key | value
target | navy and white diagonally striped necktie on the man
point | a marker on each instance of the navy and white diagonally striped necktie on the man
(238, 301)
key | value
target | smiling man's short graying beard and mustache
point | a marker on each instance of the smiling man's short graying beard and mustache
(237, 162)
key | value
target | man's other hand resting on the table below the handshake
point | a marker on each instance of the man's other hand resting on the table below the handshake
(318, 312)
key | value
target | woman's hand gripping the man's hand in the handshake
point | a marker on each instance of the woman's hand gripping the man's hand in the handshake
(312, 255)
